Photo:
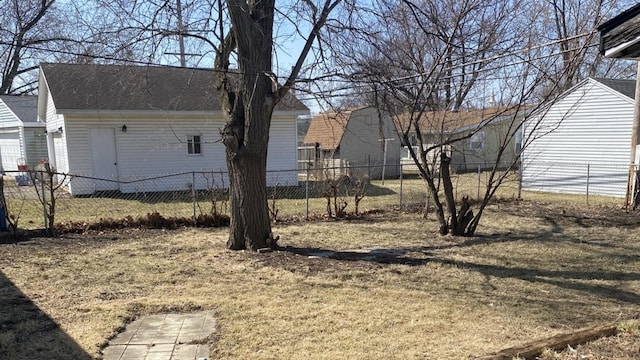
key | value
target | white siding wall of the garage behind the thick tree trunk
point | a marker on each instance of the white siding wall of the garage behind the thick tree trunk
(156, 147)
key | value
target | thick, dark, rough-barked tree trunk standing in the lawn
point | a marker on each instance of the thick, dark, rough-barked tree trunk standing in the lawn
(248, 99)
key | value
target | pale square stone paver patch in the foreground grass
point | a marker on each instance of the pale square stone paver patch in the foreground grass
(163, 337)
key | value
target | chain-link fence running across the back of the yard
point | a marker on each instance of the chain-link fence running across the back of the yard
(291, 193)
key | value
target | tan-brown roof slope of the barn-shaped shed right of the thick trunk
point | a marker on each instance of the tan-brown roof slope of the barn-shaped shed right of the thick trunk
(328, 128)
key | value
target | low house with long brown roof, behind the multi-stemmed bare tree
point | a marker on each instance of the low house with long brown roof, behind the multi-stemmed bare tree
(473, 138)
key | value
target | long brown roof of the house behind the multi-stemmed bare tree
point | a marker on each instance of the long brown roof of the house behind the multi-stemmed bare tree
(450, 121)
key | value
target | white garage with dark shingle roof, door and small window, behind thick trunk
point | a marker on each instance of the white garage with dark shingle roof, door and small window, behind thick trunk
(127, 123)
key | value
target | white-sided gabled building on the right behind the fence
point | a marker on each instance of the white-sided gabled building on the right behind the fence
(580, 143)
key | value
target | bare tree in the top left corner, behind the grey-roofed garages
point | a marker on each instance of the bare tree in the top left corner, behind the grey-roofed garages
(35, 31)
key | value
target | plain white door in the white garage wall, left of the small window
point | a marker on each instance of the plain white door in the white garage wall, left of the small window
(103, 155)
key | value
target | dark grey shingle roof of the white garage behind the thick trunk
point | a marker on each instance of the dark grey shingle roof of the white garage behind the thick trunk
(126, 87)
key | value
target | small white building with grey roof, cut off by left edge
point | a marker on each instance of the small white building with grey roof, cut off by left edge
(22, 137)
